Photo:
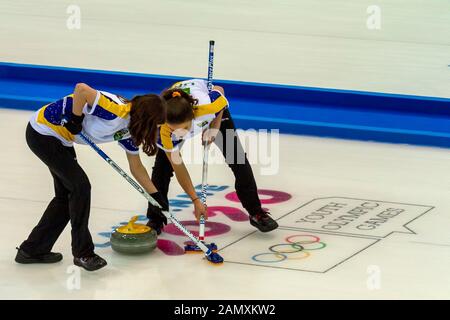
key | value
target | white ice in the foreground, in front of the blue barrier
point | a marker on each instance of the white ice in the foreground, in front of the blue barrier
(397, 261)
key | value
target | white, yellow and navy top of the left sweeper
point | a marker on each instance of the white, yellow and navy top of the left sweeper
(105, 121)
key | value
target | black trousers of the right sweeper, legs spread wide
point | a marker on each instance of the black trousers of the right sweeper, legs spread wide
(236, 159)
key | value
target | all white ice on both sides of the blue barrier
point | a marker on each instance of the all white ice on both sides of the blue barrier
(399, 249)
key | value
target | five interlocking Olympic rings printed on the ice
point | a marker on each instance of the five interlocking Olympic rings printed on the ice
(297, 247)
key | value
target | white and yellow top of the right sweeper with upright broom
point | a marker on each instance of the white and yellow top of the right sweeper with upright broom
(210, 104)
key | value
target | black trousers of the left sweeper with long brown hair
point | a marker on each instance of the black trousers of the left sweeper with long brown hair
(71, 202)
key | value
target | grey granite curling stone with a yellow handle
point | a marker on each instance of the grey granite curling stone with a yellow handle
(133, 238)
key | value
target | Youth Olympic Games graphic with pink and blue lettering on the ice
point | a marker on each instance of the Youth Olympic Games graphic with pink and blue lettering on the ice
(316, 236)
